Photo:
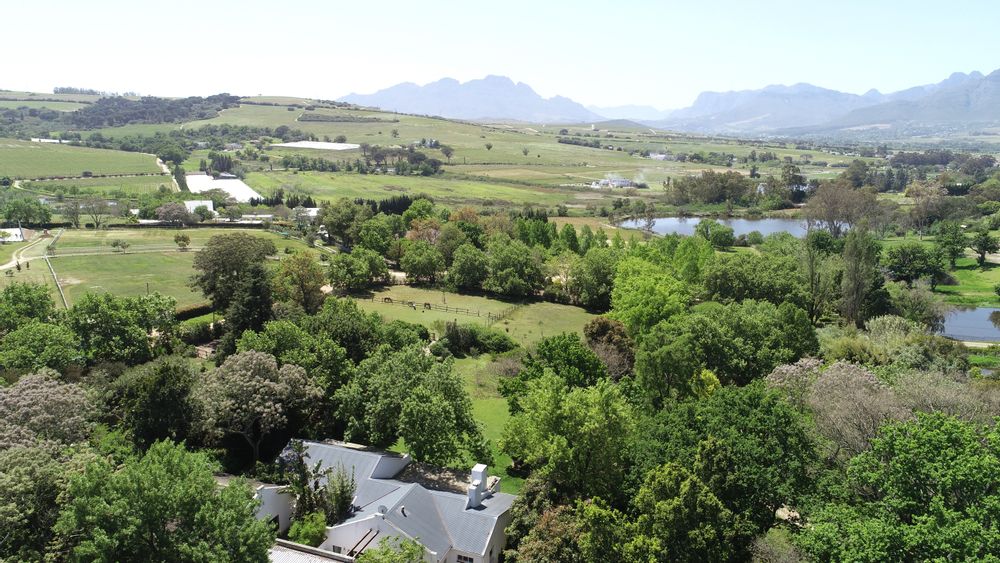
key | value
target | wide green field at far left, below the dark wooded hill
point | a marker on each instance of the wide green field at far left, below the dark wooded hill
(27, 160)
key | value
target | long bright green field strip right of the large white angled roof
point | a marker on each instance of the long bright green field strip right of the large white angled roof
(330, 186)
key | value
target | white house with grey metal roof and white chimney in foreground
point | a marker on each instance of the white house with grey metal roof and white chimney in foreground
(451, 526)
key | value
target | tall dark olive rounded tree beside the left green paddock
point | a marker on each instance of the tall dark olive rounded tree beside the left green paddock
(224, 261)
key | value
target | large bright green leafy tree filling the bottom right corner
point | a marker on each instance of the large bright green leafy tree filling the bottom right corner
(923, 491)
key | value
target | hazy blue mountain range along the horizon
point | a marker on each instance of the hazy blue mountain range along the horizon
(958, 103)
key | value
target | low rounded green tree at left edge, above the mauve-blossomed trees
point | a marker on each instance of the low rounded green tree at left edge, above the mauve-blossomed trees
(37, 345)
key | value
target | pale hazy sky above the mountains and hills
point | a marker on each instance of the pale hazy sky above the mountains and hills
(660, 53)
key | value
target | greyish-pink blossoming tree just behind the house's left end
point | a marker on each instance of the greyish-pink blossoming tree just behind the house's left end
(249, 396)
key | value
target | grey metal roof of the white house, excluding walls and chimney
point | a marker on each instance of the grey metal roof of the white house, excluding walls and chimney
(437, 519)
